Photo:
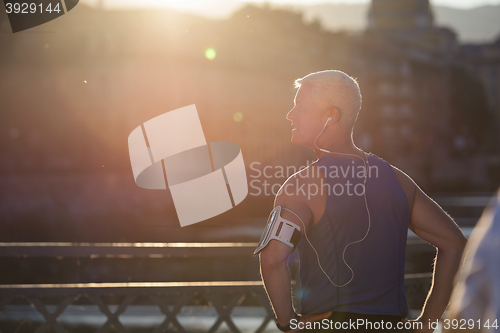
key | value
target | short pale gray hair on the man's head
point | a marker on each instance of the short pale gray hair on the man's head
(334, 88)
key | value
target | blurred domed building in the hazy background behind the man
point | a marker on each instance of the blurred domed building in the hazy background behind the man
(421, 120)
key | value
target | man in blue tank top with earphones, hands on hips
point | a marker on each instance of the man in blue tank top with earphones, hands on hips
(348, 215)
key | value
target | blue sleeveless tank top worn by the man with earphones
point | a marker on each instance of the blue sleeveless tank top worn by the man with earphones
(378, 261)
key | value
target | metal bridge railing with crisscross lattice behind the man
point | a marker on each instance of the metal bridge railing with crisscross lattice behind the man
(114, 300)
